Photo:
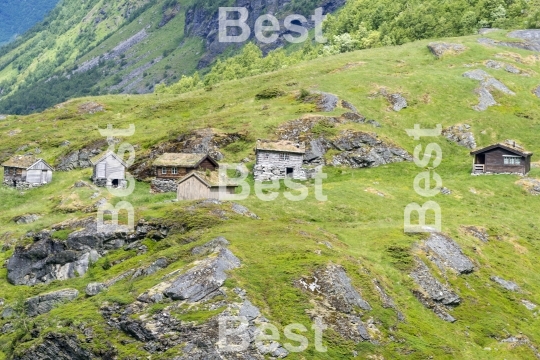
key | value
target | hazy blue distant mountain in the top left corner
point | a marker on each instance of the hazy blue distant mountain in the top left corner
(17, 16)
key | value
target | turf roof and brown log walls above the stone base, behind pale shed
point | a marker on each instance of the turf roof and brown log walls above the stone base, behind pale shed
(177, 165)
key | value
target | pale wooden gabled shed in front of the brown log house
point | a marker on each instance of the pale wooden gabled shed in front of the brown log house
(199, 185)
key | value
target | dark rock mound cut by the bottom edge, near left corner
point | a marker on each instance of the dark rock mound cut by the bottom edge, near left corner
(57, 347)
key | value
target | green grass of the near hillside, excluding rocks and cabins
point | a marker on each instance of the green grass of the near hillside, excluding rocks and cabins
(365, 229)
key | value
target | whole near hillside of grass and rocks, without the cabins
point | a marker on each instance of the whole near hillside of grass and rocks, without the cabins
(72, 290)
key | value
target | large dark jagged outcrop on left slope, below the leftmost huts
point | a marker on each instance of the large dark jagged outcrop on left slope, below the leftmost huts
(48, 259)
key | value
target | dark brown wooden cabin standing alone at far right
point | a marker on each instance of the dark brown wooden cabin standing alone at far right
(501, 158)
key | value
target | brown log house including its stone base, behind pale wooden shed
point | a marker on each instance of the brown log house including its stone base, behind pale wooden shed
(171, 168)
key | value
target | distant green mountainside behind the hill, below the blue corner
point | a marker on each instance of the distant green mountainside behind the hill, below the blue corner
(119, 46)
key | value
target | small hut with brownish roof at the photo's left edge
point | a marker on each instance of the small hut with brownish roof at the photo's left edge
(26, 169)
